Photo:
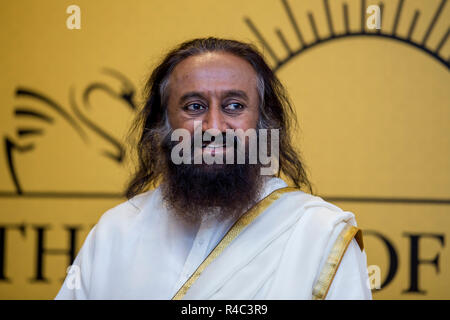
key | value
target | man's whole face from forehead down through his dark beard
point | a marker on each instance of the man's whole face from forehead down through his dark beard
(220, 90)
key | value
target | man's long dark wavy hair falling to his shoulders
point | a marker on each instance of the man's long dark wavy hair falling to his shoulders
(276, 112)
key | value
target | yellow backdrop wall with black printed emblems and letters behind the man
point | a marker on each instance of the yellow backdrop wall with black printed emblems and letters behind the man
(373, 109)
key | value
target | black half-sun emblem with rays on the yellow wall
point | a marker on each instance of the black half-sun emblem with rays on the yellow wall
(370, 90)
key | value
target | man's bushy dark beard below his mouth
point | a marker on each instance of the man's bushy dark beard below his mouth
(195, 191)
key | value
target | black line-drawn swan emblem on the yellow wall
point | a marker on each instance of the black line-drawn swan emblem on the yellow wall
(40, 113)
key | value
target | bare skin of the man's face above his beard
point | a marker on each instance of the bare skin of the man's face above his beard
(218, 89)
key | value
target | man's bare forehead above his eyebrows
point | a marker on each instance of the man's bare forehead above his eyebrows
(212, 72)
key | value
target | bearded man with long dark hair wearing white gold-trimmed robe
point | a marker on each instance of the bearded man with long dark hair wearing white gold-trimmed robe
(218, 230)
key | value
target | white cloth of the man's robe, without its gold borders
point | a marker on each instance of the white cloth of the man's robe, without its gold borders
(138, 250)
